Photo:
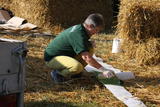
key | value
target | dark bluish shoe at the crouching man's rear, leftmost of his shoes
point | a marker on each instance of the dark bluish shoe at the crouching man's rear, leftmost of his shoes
(57, 78)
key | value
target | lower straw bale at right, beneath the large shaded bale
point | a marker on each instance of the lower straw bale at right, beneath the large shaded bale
(145, 53)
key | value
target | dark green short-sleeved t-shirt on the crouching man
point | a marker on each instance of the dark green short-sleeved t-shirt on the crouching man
(70, 42)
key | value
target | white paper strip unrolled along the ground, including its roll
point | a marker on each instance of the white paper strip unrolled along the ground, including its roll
(118, 91)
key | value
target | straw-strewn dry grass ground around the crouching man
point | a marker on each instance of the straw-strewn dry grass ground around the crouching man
(86, 91)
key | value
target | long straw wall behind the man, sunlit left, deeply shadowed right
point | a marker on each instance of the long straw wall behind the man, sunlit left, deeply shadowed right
(58, 14)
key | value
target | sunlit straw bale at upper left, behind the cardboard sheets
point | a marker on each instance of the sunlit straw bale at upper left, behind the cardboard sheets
(35, 11)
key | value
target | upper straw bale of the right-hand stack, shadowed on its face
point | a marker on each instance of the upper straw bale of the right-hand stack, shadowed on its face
(139, 20)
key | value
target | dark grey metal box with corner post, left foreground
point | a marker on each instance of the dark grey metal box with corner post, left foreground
(12, 68)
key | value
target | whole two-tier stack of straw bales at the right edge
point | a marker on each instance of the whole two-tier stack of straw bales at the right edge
(139, 26)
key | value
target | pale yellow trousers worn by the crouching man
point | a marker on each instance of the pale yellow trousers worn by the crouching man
(67, 66)
